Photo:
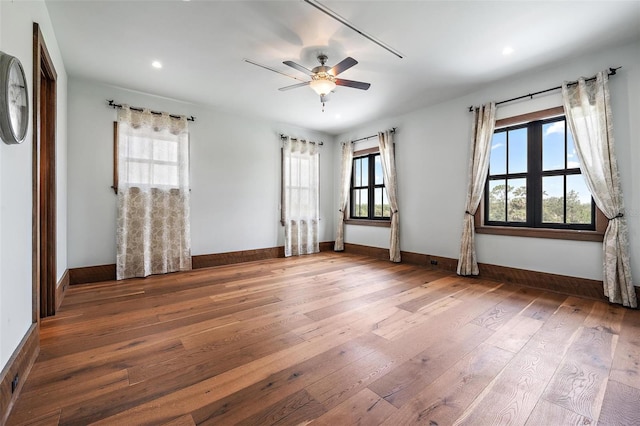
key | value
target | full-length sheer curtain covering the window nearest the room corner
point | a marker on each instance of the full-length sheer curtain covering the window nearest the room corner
(300, 205)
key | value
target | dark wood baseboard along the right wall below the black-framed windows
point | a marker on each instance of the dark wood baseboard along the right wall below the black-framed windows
(574, 286)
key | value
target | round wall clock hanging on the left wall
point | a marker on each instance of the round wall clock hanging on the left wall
(14, 100)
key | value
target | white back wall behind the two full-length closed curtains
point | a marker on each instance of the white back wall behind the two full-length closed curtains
(235, 176)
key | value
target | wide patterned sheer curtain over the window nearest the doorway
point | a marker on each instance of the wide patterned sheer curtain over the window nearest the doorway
(153, 228)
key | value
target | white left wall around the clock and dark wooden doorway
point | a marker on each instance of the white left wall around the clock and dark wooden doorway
(16, 38)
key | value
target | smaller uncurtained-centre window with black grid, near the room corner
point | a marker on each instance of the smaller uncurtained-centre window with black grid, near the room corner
(369, 199)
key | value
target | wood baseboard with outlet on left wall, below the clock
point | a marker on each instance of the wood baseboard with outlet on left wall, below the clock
(19, 364)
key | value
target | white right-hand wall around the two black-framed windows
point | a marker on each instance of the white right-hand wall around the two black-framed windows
(432, 149)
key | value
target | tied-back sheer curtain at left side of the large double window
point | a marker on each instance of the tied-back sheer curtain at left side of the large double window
(484, 121)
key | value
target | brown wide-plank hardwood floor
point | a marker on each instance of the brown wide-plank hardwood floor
(331, 339)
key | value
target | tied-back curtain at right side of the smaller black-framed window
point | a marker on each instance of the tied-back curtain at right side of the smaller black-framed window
(388, 160)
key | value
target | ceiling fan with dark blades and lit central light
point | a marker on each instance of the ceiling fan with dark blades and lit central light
(323, 78)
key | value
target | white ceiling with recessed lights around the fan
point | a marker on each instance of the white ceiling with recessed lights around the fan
(450, 48)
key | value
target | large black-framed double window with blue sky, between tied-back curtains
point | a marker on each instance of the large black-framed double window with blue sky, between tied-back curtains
(535, 182)
